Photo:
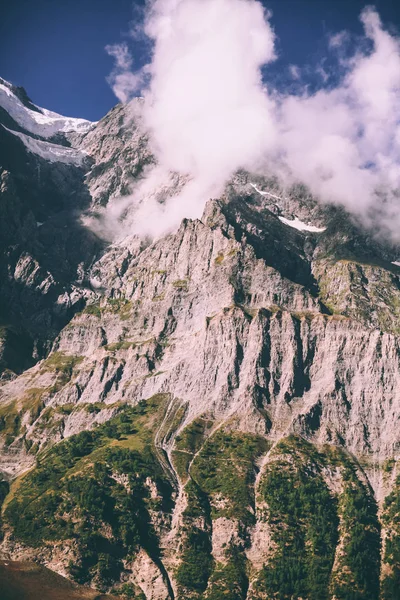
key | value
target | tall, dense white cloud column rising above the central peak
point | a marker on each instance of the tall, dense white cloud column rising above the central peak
(205, 106)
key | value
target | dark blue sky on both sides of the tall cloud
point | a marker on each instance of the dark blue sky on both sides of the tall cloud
(55, 48)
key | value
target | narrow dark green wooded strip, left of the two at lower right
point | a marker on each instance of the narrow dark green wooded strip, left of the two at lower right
(304, 525)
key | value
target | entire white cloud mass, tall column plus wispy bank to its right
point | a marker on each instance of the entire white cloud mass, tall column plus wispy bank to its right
(210, 113)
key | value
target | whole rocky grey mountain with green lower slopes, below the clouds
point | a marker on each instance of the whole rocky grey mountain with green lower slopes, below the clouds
(214, 414)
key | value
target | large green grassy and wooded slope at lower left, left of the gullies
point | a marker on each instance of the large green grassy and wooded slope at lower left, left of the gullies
(92, 488)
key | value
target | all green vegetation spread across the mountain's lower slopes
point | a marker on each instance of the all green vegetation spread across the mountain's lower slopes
(99, 490)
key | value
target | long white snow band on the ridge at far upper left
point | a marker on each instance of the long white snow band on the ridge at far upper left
(45, 123)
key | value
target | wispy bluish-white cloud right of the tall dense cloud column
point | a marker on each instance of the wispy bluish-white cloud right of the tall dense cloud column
(344, 143)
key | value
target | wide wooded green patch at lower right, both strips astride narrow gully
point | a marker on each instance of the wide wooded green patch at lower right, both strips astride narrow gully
(308, 523)
